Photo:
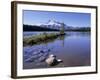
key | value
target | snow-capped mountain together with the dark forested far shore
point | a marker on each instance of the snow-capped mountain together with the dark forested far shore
(52, 25)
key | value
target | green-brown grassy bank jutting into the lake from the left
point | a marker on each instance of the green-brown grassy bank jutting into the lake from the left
(40, 38)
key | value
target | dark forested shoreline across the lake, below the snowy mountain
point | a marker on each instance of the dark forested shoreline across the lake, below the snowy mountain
(39, 28)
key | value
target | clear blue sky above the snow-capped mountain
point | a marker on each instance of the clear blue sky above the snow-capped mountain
(69, 18)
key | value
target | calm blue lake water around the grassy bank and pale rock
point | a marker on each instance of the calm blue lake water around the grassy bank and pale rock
(73, 48)
